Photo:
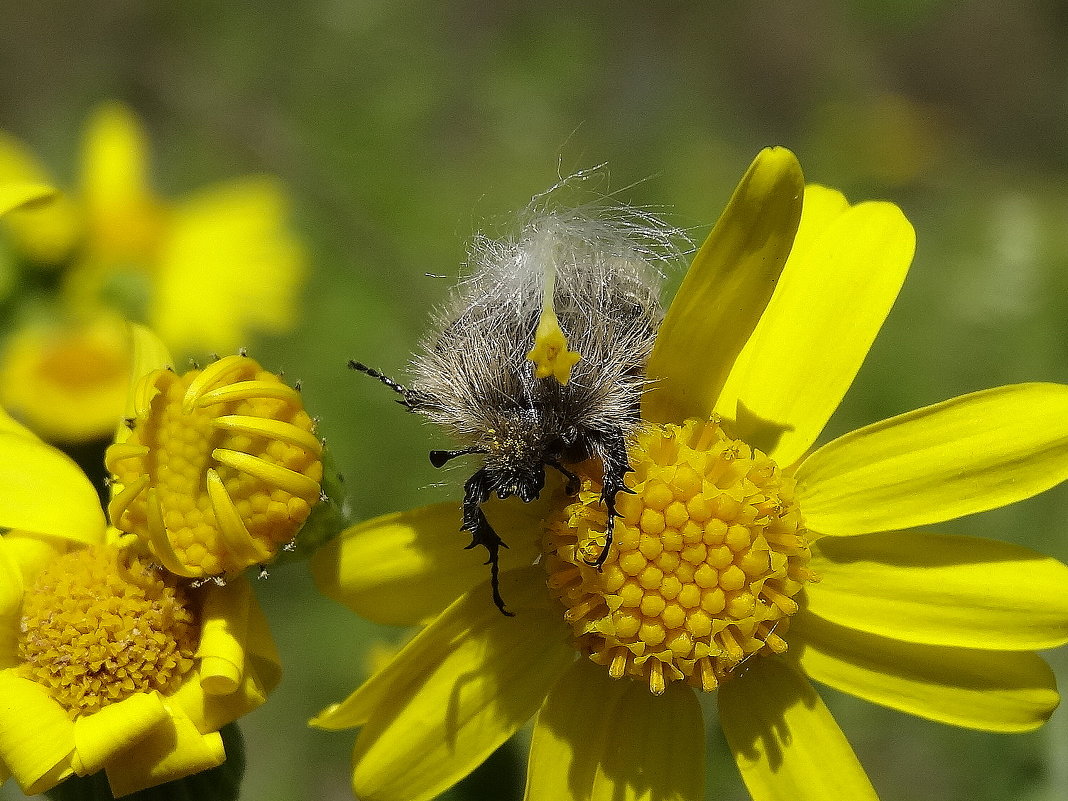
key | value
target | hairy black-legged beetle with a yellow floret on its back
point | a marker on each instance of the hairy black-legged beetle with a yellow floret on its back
(538, 359)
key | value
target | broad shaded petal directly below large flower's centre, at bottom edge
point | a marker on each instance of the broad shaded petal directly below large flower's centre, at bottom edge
(603, 740)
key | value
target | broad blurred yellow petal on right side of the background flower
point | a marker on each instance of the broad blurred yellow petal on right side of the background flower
(230, 266)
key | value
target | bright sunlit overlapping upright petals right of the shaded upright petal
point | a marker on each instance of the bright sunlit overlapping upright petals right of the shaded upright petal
(843, 276)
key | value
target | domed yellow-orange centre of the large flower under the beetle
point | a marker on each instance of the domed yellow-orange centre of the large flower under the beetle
(706, 559)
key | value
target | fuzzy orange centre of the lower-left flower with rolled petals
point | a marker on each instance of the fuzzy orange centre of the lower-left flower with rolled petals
(99, 627)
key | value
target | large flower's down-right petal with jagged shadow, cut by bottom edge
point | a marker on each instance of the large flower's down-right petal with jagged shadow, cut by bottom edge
(786, 742)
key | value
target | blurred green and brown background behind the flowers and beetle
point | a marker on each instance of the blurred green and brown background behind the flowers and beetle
(403, 128)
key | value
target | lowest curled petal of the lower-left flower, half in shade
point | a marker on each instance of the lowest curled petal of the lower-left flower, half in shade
(172, 750)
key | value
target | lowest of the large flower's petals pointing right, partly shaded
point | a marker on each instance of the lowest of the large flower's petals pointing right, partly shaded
(993, 692)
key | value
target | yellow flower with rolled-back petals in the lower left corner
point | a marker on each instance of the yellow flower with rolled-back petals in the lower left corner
(107, 664)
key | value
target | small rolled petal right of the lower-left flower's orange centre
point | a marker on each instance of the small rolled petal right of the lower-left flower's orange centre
(224, 631)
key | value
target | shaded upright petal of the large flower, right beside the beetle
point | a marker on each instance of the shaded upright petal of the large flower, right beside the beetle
(726, 291)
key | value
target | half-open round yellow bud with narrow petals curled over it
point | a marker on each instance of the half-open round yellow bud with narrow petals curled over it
(222, 469)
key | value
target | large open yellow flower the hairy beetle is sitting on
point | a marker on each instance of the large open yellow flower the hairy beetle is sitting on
(744, 562)
